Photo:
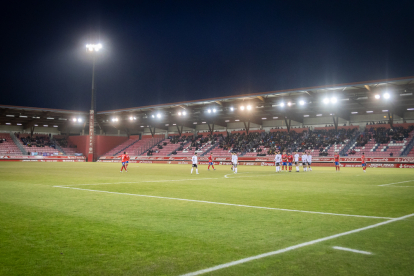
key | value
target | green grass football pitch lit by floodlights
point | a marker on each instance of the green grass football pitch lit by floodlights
(46, 230)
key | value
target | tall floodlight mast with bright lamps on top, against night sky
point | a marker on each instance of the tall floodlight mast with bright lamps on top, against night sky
(93, 49)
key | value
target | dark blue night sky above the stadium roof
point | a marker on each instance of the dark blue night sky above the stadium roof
(168, 51)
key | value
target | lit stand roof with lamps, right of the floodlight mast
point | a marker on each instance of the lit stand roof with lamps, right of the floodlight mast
(342, 100)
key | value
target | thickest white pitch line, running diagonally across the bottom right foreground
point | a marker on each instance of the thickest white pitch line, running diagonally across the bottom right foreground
(245, 260)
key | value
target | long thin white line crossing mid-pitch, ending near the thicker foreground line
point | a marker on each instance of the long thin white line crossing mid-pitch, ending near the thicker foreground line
(227, 204)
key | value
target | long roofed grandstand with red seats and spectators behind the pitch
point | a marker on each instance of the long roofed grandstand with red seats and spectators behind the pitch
(375, 117)
